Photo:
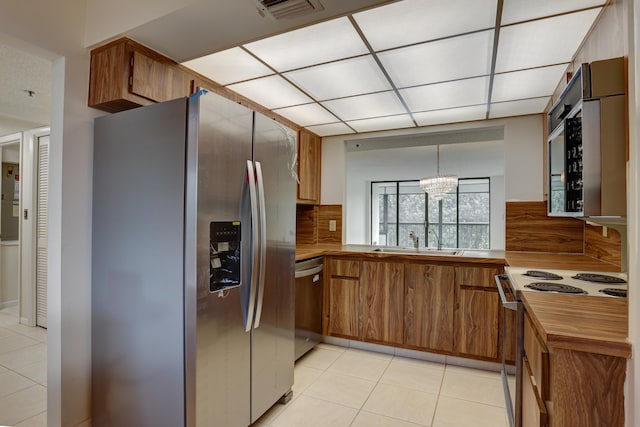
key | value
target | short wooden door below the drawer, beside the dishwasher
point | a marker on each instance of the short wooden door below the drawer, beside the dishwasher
(344, 308)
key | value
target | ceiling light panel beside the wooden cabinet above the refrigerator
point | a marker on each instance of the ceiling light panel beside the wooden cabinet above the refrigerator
(229, 66)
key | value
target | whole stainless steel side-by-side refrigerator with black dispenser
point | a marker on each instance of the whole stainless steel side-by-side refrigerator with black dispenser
(193, 252)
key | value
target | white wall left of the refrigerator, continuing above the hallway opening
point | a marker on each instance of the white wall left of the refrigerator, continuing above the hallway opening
(56, 32)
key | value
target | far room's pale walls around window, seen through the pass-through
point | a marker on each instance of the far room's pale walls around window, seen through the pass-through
(466, 160)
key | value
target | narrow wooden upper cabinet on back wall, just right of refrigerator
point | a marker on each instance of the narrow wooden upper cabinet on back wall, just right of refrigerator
(309, 164)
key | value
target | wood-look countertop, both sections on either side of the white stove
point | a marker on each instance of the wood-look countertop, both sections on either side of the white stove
(573, 322)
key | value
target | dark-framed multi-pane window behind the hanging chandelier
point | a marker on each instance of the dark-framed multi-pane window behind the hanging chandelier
(459, 220)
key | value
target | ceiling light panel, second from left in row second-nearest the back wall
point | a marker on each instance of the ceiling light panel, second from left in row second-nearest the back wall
(366, 106)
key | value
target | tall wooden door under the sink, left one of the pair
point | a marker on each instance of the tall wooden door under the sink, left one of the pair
(383, 304)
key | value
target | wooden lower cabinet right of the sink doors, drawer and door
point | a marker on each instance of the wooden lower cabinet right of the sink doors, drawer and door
(477, 313)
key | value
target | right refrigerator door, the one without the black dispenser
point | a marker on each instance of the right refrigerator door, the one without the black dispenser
(272, 354)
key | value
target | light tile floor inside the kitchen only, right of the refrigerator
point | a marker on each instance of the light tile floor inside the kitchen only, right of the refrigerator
(336, 386)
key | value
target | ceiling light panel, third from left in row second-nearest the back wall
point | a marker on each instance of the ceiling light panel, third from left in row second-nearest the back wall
(447, 95)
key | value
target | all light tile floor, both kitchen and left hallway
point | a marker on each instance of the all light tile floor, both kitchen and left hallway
(334, 387)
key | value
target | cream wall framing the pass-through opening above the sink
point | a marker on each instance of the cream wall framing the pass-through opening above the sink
(523, 163)
